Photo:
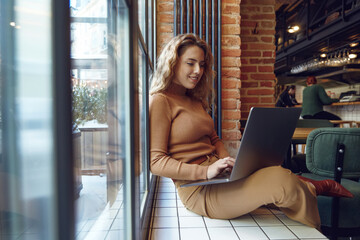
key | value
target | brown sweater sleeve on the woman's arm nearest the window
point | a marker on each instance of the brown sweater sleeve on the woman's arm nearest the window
(160, 162)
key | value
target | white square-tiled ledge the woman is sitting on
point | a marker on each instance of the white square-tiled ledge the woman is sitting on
(171, 220)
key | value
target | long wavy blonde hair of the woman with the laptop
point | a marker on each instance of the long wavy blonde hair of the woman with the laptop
(169, 57)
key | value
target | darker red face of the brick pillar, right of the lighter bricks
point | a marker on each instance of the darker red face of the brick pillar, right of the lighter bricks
(257, 54)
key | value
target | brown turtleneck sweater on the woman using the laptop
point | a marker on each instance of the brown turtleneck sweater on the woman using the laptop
(181, 131)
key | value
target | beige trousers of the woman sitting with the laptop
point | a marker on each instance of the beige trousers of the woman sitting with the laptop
(271, 185)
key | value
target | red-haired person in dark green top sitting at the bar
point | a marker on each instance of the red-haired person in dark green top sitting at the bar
(314, 98)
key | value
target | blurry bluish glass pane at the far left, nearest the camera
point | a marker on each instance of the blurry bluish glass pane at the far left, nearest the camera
(27, 164)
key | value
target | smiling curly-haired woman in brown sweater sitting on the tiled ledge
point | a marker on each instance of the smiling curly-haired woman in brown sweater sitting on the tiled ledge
(184, 145)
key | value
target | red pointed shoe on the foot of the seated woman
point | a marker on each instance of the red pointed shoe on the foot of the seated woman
(328, 187)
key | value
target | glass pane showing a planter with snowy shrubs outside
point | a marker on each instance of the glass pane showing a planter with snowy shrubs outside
(100, 70)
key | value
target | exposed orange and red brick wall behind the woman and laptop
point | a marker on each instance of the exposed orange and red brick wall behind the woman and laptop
(247, 59)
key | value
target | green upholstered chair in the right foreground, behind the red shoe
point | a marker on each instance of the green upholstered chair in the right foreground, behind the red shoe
(334, 153)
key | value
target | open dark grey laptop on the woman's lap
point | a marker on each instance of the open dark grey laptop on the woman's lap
(265, 142)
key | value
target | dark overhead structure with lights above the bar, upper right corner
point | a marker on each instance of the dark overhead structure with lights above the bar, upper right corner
(325, 27)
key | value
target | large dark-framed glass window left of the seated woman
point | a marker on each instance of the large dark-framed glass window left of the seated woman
(73, 123)
